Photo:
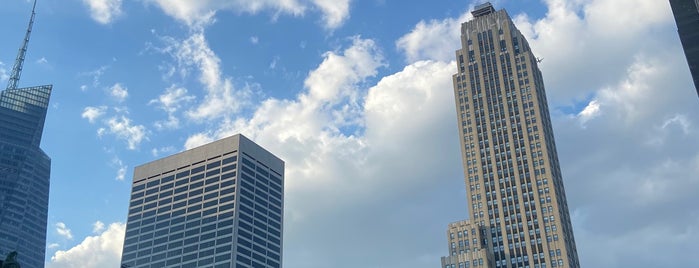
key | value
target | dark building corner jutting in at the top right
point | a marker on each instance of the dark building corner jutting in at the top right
(687, 18)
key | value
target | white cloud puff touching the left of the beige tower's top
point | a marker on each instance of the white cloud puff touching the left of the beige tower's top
(433, 40)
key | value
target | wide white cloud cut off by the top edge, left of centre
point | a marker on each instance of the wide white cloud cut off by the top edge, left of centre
(197, 14)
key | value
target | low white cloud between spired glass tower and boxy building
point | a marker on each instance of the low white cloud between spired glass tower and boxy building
(102, 250)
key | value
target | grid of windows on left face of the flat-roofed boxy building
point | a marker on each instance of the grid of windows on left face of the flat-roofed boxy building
(183, 217)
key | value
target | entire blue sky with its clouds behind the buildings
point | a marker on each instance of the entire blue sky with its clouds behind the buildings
(356, 97)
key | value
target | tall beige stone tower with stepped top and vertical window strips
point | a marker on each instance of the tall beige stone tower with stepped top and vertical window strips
(518, 210)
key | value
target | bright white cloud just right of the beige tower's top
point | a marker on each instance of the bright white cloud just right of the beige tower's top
(585, 33)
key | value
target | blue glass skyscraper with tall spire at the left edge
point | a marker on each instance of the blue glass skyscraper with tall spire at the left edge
(24, 168)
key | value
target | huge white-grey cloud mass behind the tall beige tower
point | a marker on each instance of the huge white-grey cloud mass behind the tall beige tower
(377, 158)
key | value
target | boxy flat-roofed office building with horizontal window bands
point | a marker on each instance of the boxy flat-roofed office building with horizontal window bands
(217, 205)
